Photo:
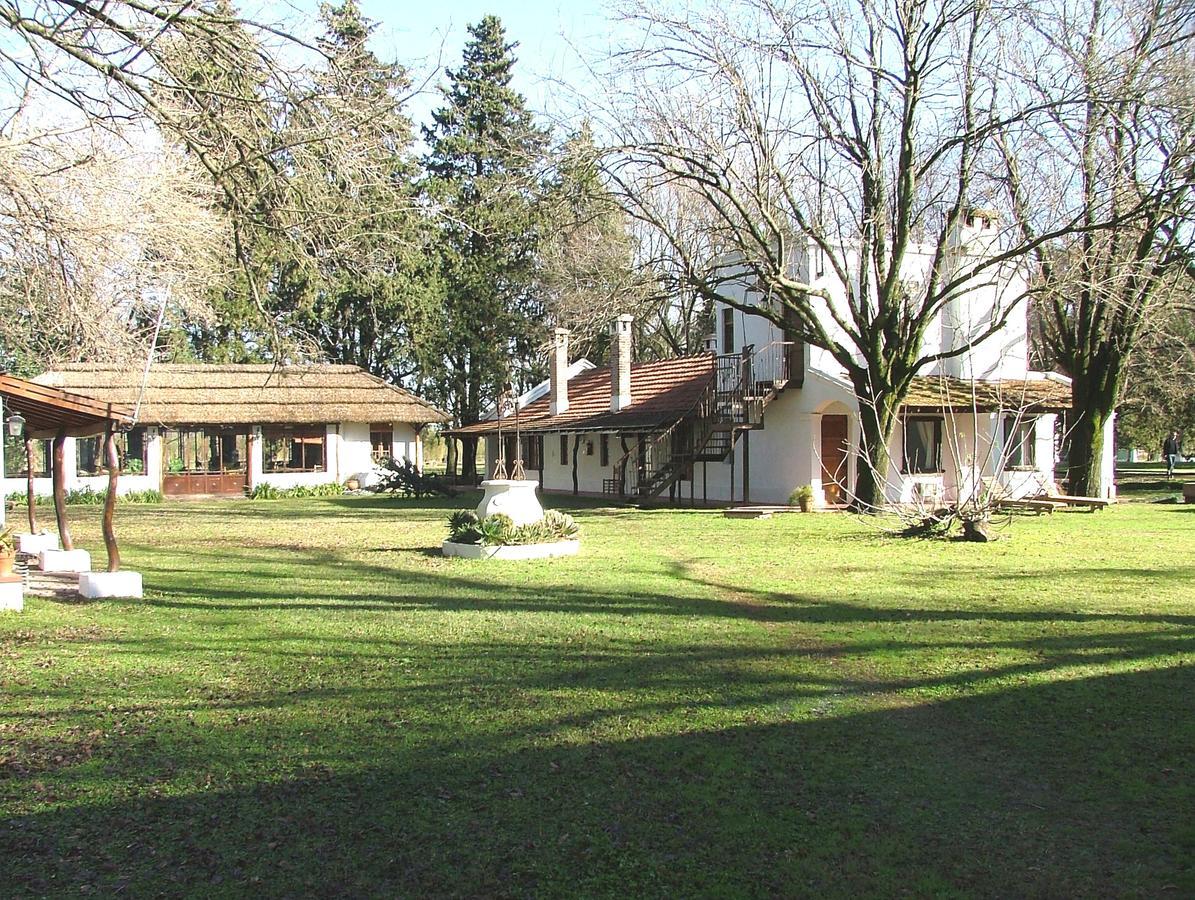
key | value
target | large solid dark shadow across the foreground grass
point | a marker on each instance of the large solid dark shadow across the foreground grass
(1068, 788)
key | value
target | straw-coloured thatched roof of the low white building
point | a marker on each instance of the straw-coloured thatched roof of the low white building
(195, 394)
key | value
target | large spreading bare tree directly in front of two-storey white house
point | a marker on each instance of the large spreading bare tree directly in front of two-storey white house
(863, 132)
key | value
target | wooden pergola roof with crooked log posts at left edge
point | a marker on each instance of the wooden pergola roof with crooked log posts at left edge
(56, 415)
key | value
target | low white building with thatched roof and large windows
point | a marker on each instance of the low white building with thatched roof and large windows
(223, 430)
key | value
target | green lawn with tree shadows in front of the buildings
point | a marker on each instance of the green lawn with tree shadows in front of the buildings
(312, 702)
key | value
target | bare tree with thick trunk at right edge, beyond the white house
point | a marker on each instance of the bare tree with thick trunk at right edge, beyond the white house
(1129, 145)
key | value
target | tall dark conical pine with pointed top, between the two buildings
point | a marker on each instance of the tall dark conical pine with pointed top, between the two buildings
(485, 180)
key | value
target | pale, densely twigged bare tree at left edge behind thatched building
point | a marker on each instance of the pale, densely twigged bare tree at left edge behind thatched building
(100, 241)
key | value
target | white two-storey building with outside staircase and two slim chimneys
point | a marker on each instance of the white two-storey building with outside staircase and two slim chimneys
(761, 415)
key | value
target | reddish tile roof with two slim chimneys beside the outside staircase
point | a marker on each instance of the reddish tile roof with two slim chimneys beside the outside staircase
(661, 394)
